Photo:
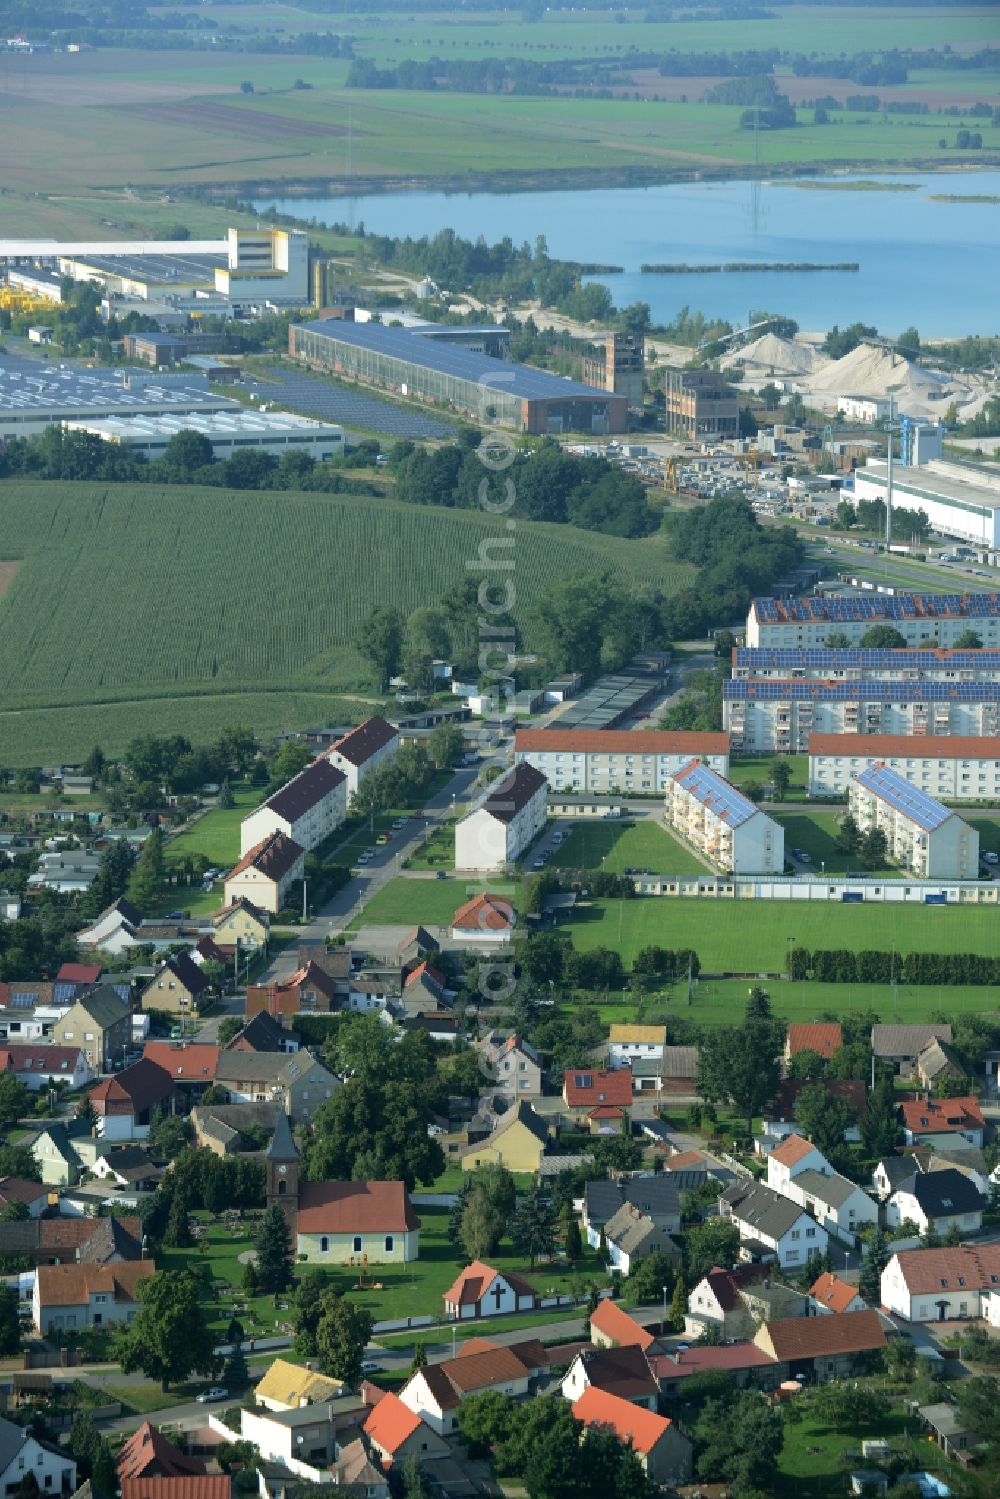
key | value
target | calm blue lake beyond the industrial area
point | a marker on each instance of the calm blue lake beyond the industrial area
(926, 263)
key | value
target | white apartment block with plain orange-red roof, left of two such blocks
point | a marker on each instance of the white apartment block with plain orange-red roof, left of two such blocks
(617, 761)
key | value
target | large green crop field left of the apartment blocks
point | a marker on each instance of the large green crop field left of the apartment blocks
(211, 600)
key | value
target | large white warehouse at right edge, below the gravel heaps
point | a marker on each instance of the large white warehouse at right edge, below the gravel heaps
(959, 500)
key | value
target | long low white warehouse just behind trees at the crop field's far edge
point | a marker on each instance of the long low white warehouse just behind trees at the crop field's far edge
(230, 432)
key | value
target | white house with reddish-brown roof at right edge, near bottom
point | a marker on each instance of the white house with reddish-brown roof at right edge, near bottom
(941, 1285)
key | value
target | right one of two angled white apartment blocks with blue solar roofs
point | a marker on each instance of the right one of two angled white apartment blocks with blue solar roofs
(923, 836)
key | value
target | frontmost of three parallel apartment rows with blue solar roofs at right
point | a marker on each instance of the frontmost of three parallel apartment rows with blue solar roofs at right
(774, 717)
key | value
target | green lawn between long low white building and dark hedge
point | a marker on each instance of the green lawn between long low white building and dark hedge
(753, 936)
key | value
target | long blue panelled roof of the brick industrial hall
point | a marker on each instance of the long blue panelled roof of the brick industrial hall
(481, 370)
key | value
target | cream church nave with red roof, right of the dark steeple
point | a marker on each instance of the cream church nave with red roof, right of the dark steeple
(356, 1222)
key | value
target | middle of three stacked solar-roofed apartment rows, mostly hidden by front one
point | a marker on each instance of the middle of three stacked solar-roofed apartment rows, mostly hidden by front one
(854, 665)
